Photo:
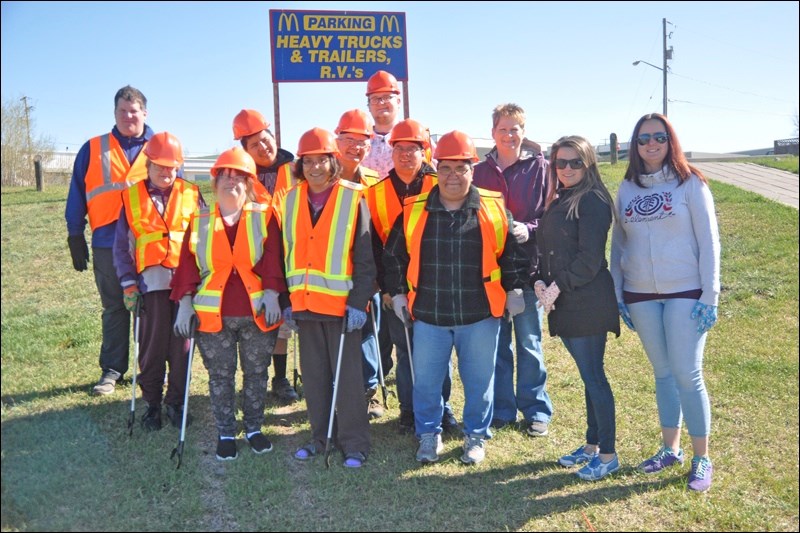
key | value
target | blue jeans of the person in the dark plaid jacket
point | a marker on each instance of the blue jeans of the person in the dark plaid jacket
(476, 345)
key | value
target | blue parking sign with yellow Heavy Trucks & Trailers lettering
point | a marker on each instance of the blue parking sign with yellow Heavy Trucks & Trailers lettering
(336, 45)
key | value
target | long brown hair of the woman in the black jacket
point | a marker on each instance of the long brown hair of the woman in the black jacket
(591, 182)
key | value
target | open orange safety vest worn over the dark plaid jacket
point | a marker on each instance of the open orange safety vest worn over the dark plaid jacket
(494, 228)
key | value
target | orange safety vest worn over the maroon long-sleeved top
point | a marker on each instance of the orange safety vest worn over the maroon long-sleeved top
(216, 261)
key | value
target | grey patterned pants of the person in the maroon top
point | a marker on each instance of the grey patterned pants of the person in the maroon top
(239, 336)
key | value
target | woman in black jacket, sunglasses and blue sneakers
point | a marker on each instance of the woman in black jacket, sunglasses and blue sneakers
(576, 290)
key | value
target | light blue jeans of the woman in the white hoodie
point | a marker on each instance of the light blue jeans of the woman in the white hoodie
(675, 349)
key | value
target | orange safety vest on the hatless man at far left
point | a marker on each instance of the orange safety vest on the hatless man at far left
(109, 173)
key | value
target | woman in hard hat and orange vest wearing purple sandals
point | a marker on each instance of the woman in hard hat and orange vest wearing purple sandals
(330, 274)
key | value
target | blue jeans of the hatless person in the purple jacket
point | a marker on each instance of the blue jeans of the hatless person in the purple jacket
(531, 396)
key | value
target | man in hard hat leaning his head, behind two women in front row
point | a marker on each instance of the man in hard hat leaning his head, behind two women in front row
(274, 178)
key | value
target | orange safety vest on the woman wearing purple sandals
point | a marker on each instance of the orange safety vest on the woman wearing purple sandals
(319, 269)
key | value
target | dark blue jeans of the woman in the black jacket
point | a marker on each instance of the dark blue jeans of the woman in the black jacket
(588, 353)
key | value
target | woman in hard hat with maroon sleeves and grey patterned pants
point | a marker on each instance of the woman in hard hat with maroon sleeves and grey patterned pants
(230, 275)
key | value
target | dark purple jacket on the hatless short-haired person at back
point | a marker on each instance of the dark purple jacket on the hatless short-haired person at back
(524, 187)
